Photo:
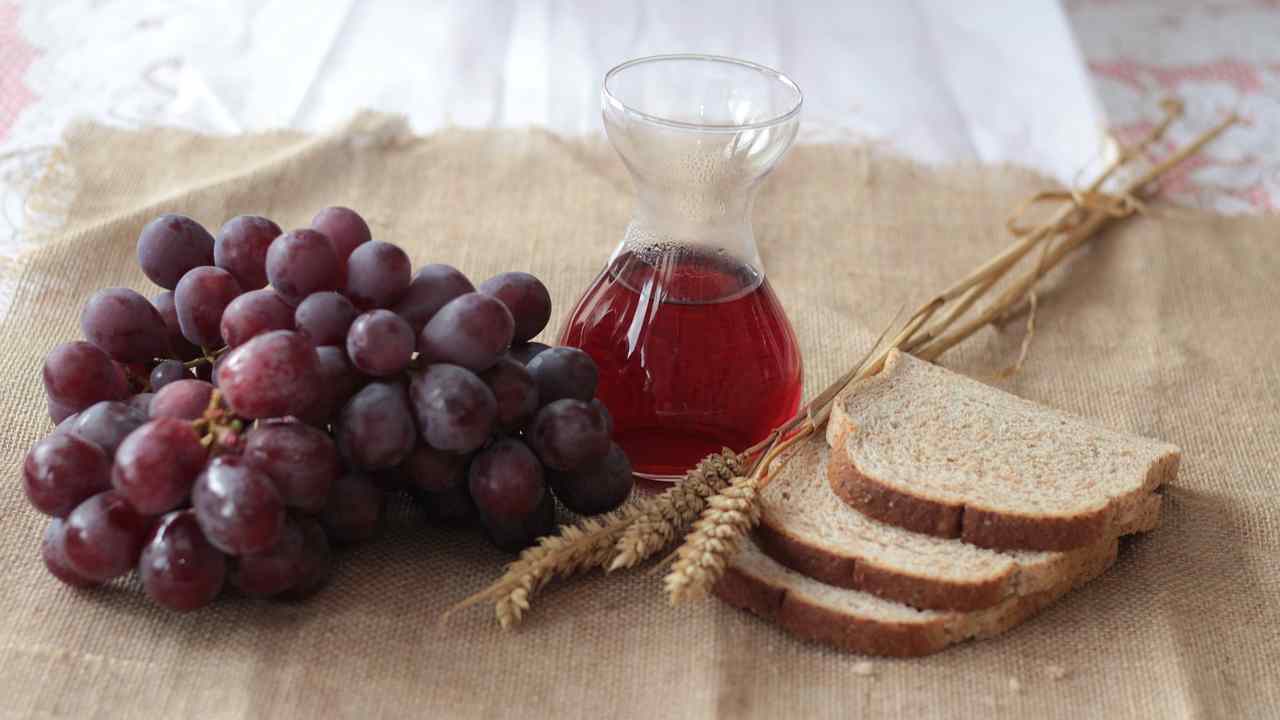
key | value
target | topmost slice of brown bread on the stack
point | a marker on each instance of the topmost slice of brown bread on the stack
(940, 454)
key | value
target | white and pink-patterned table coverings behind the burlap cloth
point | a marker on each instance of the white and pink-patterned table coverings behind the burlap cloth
(1027, 83)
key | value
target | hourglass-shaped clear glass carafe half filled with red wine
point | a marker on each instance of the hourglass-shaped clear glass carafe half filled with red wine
(694, 349)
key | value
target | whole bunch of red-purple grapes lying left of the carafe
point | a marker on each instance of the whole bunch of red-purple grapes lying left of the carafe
(264, 405)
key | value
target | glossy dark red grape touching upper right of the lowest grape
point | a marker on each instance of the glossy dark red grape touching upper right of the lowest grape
(237, 507)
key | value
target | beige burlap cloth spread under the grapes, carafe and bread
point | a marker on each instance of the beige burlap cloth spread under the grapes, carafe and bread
(1168, 327)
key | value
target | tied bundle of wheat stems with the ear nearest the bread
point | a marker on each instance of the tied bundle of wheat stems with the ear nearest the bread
(730, 516)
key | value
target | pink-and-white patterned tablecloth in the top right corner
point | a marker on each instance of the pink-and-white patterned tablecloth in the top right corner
(1215, 58)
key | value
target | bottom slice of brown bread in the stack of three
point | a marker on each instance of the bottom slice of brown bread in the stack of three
(861, 622)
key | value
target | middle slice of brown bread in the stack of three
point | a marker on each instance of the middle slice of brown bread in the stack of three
(811, 531)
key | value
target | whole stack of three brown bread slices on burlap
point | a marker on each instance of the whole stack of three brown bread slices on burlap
(944, 511)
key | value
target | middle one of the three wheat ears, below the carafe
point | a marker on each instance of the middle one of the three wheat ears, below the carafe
(675, 509)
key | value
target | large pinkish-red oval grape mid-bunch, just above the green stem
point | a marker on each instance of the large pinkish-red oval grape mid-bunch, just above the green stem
(272, 376)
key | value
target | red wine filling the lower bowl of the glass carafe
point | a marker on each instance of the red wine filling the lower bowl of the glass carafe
(694, 352)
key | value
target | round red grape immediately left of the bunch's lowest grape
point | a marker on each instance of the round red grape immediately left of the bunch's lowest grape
(104, 536)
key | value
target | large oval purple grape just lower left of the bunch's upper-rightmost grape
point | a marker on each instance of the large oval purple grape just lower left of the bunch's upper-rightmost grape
(473, 331)
